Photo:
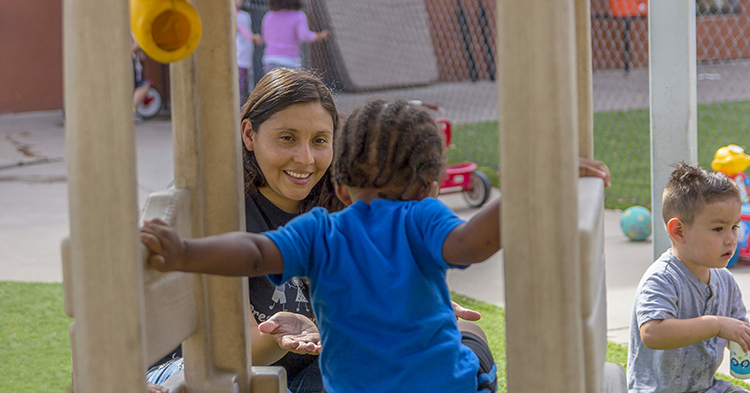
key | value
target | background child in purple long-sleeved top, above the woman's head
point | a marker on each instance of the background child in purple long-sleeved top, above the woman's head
(284, 28)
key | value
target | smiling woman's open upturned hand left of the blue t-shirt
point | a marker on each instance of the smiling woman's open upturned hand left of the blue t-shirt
(293, 332)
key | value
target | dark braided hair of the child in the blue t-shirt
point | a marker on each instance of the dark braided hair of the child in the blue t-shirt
(384, 144)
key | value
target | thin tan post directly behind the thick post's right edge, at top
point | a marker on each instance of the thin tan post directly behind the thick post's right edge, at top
(584, 79)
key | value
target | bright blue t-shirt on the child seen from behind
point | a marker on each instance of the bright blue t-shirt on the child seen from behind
(378, 288)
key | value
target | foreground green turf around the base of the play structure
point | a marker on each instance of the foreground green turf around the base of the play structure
(35, 348)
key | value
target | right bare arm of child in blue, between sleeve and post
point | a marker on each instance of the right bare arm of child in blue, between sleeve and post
(476, 240)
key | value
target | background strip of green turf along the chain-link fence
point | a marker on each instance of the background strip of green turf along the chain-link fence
(622, 141)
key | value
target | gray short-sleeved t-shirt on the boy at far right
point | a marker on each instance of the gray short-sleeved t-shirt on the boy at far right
(669, 289)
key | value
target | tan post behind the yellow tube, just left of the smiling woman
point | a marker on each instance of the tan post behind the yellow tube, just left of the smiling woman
(208, 162)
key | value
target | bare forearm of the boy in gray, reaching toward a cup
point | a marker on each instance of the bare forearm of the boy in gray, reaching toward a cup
(677, 333)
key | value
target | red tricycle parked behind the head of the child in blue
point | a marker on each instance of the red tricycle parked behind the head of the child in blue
(464, 177)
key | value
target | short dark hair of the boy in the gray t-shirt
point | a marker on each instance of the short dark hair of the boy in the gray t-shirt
(690, 188)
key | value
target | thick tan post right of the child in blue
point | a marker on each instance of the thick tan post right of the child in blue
(539, 150)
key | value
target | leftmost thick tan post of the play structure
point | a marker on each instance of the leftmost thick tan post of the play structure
(105, 262)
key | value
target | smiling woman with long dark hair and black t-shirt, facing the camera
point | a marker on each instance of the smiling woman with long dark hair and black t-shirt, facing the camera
(287, 132)
